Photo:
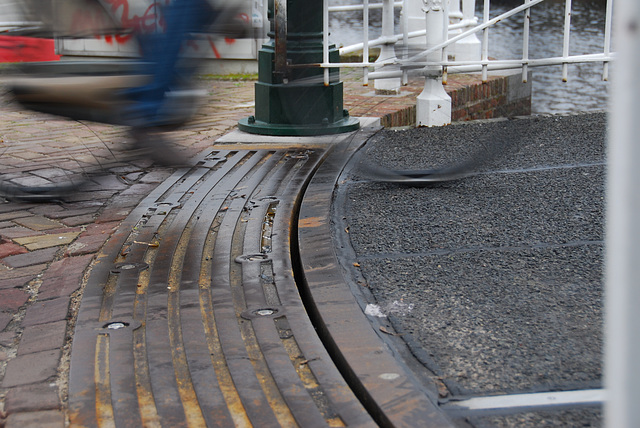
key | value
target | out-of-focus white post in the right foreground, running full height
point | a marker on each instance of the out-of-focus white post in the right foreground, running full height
(622, 296)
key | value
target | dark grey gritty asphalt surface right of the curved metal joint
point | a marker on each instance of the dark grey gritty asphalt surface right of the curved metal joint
(500, 273)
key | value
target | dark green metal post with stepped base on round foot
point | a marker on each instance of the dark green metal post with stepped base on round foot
(291, 95)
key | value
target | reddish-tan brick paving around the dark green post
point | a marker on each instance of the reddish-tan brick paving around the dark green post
(47, 249)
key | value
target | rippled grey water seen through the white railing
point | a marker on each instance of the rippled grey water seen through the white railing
(583, 91)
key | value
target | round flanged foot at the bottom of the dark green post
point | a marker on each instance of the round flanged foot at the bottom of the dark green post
(253, 126)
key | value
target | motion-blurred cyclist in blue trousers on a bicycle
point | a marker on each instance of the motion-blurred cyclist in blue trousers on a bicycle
(146, 94)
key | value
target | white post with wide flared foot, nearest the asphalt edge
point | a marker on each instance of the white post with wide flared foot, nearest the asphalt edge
(433, 107)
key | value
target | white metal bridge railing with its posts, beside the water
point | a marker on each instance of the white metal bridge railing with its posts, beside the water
(452, 40)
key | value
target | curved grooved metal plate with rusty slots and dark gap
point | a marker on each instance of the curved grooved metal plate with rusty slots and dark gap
(193, 316)
